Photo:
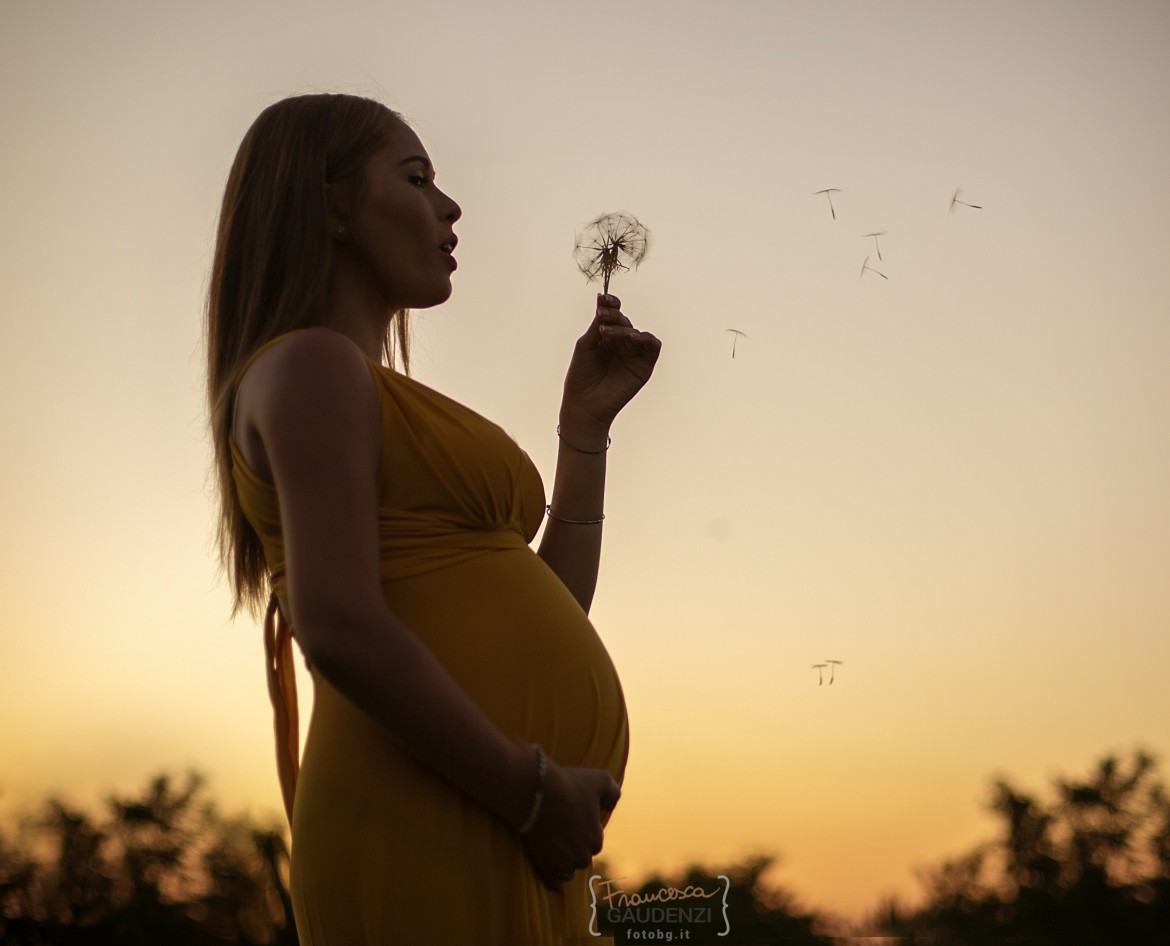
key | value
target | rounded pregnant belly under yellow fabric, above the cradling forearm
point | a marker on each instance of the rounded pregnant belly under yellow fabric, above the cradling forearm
(511, 633)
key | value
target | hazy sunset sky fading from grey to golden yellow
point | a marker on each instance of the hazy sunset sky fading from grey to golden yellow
(954, 480)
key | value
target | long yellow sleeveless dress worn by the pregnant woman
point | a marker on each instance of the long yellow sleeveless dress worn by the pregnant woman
(386, 853)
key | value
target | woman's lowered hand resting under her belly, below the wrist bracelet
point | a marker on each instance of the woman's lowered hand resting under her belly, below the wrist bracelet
(569, 830)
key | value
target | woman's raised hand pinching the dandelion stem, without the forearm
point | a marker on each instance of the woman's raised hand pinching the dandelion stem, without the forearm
(610, 365)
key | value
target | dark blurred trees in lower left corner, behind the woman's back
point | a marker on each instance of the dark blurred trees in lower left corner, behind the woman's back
(159, 868)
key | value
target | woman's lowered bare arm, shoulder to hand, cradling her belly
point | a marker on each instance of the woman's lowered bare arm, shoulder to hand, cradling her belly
(314, 408)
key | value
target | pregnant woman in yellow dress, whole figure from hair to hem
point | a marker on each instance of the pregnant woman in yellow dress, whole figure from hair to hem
(469, 734)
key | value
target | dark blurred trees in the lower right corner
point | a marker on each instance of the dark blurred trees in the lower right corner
(1091, 867)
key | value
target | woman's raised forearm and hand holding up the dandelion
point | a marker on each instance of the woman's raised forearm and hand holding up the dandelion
(611, 363)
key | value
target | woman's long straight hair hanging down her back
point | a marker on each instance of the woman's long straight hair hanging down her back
(271, 274)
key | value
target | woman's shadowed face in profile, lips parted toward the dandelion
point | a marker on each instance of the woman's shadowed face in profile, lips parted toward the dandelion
(401, 231)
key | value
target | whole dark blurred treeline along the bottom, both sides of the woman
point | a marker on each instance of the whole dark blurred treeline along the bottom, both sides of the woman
(1089, 866)
